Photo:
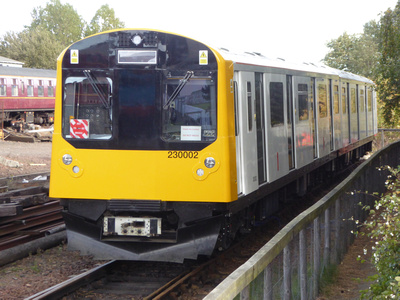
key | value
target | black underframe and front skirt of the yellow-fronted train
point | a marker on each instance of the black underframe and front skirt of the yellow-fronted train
(174, 231)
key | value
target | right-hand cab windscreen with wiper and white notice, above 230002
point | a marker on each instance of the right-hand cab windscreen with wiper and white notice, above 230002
(189, 109)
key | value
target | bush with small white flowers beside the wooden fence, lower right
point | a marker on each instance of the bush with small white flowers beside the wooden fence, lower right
(385, 229)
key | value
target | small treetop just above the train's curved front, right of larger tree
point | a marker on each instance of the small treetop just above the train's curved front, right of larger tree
(103, 20)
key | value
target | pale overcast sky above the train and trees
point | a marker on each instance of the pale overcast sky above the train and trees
(292, 29)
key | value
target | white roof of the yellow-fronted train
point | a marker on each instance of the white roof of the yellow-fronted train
(254, 58)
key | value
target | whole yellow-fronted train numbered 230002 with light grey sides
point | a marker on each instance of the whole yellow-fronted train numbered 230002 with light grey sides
(165, 148)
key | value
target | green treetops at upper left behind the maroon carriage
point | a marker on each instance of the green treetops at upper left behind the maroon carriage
(53, 28)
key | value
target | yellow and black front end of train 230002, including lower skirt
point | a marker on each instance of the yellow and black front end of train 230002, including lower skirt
(143, 153)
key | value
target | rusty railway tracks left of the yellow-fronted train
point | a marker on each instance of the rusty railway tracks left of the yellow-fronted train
(26, 212)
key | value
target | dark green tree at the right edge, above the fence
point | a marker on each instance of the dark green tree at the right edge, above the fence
(388, 79)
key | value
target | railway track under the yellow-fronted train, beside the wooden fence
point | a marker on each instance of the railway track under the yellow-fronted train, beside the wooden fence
(193, 280)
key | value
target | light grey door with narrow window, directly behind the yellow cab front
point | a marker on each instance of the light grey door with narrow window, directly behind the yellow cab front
(246, 141)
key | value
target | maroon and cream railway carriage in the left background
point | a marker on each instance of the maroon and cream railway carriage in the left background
(27, 95)
